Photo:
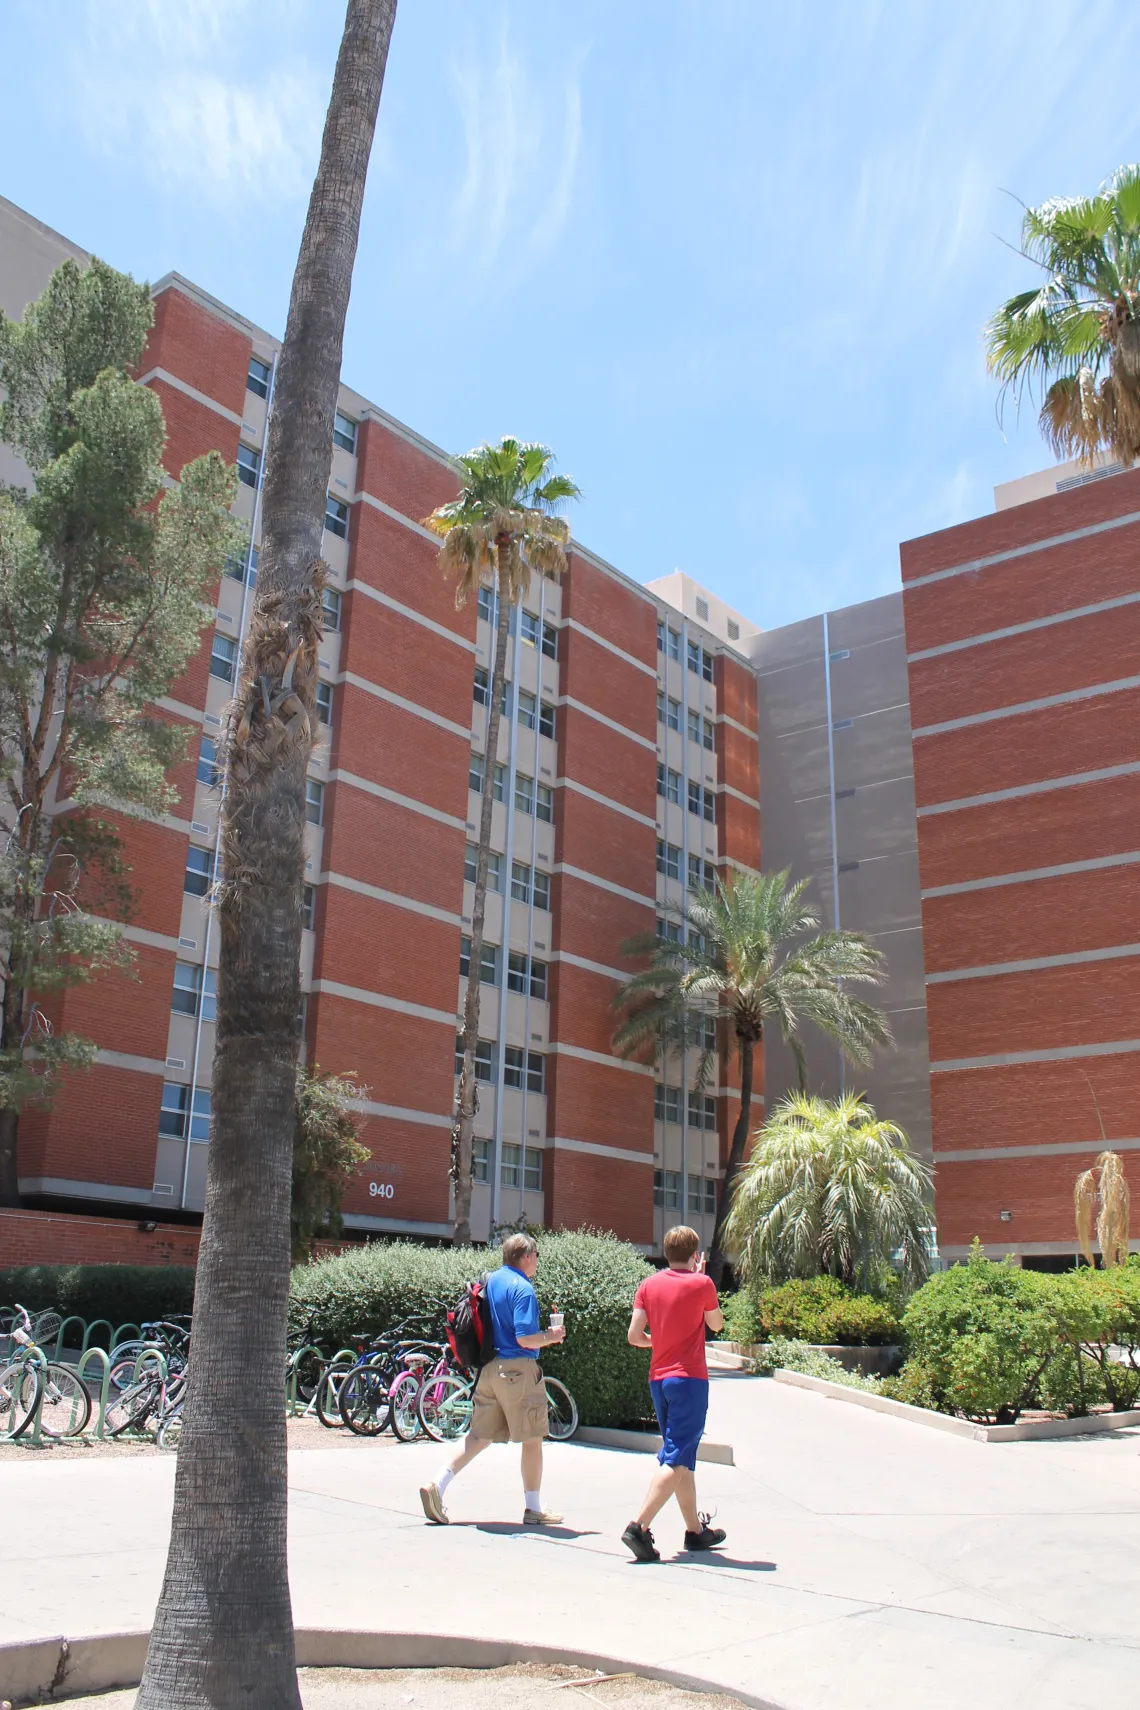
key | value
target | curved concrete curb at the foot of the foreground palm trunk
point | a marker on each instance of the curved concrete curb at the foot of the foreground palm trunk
(64, 1668)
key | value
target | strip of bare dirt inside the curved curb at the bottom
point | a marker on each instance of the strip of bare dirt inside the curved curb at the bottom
(524, 1687)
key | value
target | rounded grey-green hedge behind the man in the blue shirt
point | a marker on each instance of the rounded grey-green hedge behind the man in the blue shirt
(592, 1278)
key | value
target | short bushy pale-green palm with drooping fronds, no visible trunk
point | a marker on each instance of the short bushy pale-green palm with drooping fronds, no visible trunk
(831, 1189)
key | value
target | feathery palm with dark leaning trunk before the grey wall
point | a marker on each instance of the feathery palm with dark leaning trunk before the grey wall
(746, 960)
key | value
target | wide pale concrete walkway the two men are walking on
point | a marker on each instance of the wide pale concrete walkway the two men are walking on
(871, 1566)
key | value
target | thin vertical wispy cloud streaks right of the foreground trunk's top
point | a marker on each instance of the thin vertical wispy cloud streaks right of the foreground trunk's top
(522, 165)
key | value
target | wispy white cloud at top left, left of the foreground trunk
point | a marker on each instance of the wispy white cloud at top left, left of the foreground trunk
(170, 88)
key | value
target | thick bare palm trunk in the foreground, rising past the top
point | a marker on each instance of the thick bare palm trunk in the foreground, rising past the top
(223, 1630)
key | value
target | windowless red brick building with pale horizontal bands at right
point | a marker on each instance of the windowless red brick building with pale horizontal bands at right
(1023, 639)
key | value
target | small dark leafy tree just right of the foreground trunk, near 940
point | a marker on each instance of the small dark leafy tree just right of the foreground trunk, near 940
(326, 1157)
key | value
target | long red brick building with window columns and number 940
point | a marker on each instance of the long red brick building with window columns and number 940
(626, 770)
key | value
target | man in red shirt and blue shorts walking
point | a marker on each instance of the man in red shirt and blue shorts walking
(671, 1314)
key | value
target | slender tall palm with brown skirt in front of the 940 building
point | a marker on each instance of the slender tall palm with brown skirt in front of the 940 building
(498, 531)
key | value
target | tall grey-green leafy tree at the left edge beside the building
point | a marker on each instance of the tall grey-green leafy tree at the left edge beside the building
(103, 579)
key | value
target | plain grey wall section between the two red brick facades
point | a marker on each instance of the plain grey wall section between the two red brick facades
(837, 753)
